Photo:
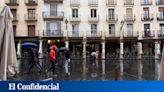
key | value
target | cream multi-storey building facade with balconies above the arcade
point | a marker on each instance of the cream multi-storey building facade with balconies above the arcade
(119, 27)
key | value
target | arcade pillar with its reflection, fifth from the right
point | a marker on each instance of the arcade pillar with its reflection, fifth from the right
(84, 60)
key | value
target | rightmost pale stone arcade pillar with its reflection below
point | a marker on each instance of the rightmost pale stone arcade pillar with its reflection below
(157, 62)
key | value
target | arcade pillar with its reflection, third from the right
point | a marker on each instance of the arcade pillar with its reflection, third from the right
(121, 60)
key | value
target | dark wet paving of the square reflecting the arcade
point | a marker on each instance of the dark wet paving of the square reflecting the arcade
(90, 73)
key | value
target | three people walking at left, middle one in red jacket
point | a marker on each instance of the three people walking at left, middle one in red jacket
(53, 54)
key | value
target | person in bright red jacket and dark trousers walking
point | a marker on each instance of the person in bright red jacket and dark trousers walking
(52, 59)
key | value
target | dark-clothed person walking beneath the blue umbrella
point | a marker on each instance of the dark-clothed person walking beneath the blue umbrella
(35, 60)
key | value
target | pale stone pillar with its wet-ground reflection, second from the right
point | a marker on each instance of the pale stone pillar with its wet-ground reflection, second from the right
(140, 66)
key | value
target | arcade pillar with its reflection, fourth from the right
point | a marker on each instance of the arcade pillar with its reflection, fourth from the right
(103, 57)
